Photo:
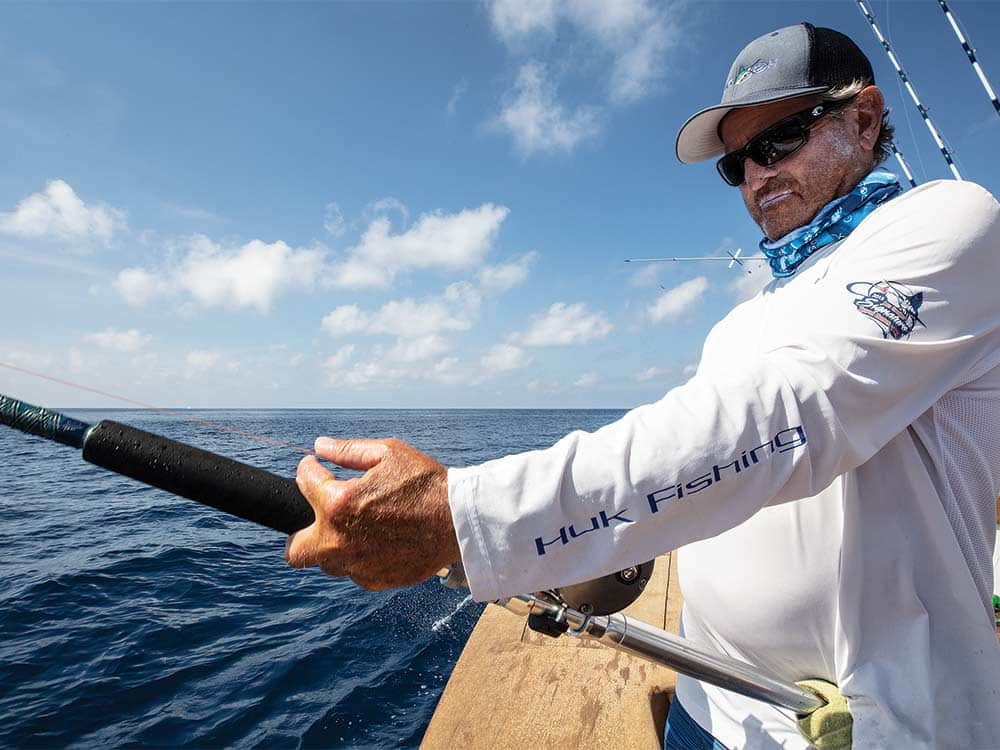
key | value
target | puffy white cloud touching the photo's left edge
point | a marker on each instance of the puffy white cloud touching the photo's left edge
(59, 213)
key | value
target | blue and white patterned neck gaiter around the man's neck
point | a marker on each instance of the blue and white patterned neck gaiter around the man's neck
(836, 220)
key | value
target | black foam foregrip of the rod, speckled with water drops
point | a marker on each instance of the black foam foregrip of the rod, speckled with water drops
(227, 485)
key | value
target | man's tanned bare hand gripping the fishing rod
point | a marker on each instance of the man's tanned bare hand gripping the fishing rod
(391, 527)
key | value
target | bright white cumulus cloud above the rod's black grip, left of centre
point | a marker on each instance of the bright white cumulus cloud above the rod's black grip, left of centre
(252, 275)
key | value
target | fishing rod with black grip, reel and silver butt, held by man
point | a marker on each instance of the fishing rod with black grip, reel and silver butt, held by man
(588, 610)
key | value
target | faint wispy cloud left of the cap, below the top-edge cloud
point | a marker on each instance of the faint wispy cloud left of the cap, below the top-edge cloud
(537, 121)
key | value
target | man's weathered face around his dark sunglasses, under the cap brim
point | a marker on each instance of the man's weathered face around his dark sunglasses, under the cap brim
(789, 193)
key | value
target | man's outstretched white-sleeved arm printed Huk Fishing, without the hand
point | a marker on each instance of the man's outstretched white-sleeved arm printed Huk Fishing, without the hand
(822, 391)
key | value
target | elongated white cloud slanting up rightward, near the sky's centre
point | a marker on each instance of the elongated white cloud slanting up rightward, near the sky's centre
(436, 240)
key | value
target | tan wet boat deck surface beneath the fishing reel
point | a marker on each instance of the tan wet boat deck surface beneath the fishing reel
(513, 687)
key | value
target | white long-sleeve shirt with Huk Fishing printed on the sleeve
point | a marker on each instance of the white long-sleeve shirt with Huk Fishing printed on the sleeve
(830, 472)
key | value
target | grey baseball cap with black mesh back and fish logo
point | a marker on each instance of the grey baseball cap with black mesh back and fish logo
(783, 64)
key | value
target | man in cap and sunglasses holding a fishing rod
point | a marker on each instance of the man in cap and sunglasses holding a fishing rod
(828, 474)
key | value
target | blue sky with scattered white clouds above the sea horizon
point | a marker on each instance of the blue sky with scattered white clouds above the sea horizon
(399, 205)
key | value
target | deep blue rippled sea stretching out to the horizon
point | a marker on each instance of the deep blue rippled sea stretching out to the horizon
(129, 617)
